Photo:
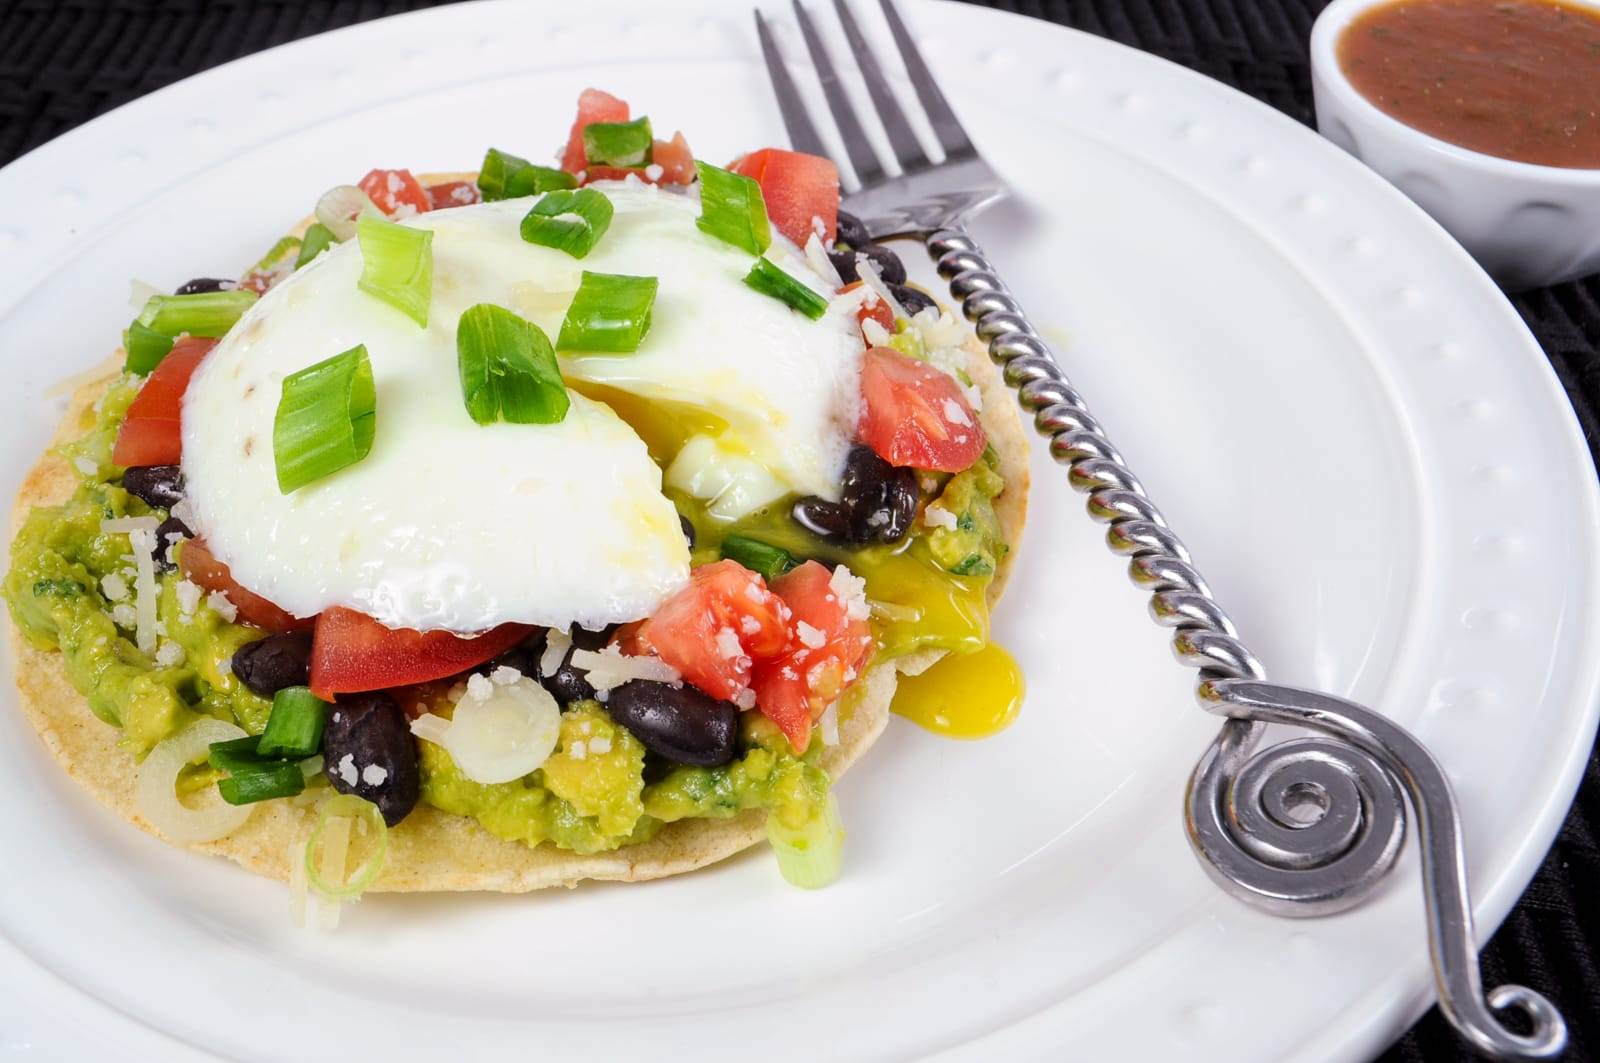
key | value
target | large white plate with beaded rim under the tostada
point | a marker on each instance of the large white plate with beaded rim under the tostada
(1359, 438)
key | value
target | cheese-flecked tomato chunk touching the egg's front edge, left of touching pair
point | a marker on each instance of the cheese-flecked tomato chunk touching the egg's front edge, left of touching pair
(716, 628)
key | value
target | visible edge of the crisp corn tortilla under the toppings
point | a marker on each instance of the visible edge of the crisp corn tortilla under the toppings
(431, 849)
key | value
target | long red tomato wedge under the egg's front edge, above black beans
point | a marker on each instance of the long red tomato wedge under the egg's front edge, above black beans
(353, 652)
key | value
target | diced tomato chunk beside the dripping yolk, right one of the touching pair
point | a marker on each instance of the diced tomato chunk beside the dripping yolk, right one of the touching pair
(826, 654)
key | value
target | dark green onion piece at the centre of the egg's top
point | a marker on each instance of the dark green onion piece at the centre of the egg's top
(508, 369)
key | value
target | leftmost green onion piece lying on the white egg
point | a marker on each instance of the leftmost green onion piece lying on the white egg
(326, 420)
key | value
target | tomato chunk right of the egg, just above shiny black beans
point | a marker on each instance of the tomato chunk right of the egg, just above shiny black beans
(916, 415)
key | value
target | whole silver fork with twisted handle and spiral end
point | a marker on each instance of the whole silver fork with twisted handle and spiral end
(1302, 828)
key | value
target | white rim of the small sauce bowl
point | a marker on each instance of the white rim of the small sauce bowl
(1330, 73)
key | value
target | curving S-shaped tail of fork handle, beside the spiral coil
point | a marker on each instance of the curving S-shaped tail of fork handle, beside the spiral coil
(1450, 936)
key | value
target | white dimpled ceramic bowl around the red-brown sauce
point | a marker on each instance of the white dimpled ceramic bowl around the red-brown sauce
(1527, 225)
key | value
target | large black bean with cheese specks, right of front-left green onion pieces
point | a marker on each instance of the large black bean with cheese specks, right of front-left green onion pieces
(369, 731)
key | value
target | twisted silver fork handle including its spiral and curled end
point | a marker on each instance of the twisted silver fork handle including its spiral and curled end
(1246, 811)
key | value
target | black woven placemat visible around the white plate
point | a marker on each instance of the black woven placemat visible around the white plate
(65, 62)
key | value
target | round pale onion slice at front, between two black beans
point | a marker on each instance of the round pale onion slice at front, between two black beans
(502, 732)
